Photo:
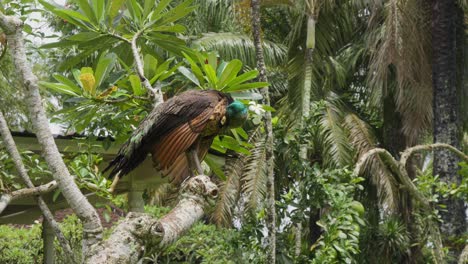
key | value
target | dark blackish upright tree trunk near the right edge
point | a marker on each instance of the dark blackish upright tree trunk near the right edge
(446, 116)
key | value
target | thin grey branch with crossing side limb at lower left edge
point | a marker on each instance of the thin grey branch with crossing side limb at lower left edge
(15, 155)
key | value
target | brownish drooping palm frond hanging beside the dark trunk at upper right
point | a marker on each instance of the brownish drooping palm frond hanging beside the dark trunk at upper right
(400, 46)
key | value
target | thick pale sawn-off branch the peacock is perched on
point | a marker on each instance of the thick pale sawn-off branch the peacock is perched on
(138, 231)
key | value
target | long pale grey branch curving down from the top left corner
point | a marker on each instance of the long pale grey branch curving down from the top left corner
(92, 229)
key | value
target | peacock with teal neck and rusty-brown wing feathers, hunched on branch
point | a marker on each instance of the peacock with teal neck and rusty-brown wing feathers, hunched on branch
(179, 132)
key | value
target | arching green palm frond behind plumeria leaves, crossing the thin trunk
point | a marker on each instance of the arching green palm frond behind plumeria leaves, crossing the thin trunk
(239, 46)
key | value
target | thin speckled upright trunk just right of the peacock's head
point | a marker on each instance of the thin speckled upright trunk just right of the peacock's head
(271, 220)
